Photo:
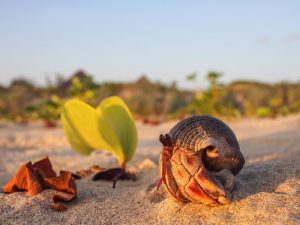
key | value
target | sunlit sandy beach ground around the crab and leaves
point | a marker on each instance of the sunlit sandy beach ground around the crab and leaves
(267, 190)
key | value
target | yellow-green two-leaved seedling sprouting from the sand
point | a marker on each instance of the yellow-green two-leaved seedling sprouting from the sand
(109, 127)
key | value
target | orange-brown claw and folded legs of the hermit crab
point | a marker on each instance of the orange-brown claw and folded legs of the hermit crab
(202, 186)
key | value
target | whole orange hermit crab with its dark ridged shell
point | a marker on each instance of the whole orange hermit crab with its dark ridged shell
(199, 159)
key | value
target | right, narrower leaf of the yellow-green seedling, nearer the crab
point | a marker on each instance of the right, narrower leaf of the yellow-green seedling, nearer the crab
(114, 110)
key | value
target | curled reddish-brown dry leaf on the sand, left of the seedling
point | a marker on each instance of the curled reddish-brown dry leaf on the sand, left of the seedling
(34, 178)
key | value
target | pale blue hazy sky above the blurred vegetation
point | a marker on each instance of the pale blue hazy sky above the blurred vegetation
(166, 40)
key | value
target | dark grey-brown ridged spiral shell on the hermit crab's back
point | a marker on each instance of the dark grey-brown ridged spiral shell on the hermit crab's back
(198, 132)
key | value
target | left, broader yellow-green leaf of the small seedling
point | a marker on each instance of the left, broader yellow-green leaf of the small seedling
(87, 130)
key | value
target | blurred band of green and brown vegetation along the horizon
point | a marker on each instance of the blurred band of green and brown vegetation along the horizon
(151, 101)
